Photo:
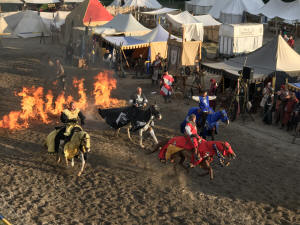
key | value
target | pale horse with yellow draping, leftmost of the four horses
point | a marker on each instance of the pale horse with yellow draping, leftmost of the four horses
(79, 144)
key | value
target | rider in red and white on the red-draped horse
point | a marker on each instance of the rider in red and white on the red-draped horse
(191, 132)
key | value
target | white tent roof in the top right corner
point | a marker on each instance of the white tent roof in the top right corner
(284, 10)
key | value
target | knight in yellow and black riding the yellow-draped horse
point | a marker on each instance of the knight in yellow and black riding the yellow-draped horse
(71, 118)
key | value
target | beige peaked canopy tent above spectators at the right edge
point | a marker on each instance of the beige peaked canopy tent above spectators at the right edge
(275, 56)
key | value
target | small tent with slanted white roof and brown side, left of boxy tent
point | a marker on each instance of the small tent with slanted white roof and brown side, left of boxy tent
(211, 27)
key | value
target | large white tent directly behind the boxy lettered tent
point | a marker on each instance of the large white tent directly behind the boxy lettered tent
(233, 12)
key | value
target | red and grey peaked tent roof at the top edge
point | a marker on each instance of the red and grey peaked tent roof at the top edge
(88, 13)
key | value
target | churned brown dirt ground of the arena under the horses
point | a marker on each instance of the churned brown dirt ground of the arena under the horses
(122, 183)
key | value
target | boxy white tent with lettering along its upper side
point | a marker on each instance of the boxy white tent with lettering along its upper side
(235, 39)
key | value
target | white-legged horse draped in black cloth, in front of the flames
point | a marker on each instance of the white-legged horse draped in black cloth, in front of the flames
(132, 119)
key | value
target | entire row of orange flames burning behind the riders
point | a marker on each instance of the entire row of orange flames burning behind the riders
(37, 106)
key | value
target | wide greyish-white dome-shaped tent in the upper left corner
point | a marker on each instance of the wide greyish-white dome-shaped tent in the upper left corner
(28, 24)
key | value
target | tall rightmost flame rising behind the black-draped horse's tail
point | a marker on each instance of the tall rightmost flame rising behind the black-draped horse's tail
(102, 90)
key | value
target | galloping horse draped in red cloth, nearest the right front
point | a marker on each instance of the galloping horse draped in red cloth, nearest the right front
(178, 150)
